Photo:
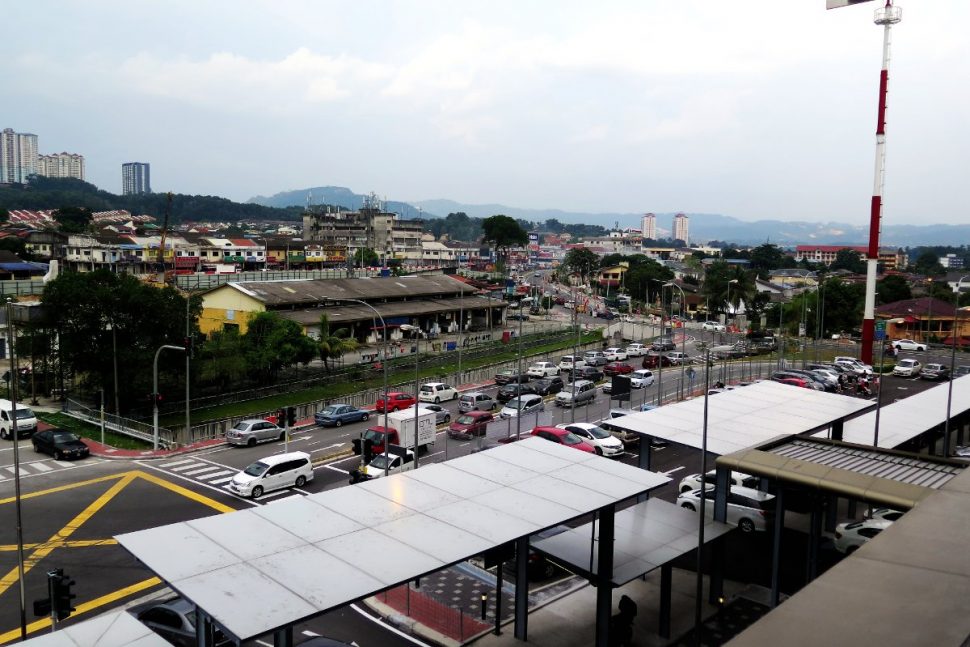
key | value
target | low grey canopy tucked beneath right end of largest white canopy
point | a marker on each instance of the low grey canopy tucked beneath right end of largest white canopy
(647, 536)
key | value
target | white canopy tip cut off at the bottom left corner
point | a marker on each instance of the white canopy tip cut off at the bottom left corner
(115, 629)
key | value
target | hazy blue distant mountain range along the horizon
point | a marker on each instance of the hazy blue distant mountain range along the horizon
(703, 226)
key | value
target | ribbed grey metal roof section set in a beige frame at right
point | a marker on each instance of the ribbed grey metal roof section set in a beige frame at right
(905, 468)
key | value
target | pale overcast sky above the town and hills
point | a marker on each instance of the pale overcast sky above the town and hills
(753, 109)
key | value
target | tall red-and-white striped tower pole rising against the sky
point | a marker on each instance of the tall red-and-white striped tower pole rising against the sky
(886, 16)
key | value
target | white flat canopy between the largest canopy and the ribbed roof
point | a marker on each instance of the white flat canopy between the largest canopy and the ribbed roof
(743, 417)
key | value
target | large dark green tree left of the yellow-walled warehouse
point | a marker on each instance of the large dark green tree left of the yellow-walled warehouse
(100, 316)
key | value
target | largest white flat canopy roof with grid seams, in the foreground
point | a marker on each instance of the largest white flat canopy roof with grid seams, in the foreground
(306, 555)
